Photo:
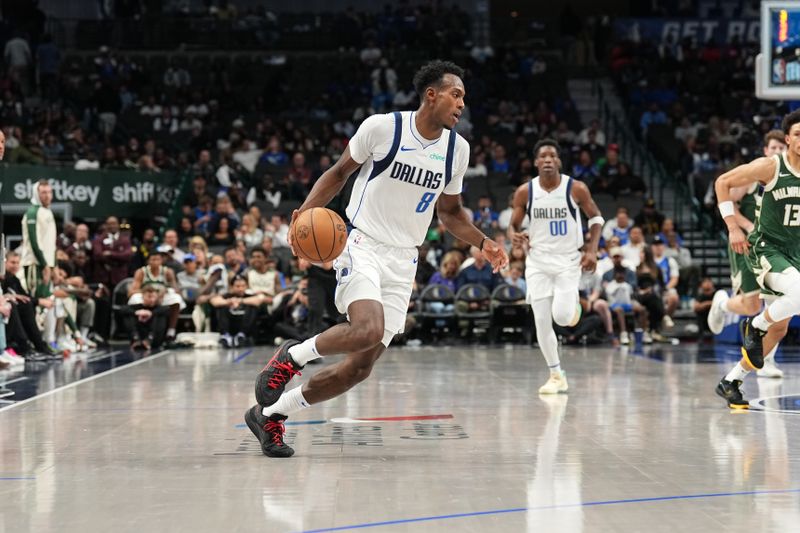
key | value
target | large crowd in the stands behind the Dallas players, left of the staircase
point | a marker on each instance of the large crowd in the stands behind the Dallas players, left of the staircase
(225, 266)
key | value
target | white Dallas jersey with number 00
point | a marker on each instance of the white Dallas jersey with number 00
(555, 227)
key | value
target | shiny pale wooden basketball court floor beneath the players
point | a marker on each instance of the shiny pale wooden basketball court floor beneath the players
(437, 439)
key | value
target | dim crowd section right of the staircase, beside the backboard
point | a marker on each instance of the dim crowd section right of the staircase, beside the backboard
(694, 106)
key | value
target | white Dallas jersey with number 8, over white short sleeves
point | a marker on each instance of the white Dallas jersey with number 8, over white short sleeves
(401, 177)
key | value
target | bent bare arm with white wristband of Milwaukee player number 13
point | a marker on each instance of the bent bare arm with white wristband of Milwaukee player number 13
(761, 170)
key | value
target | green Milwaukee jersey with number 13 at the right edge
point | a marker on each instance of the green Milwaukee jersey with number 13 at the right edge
(779, 219)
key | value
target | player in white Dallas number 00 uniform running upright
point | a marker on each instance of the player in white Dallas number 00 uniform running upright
(557, 253)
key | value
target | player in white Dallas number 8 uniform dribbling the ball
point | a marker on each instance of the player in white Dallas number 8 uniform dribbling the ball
(407, 164)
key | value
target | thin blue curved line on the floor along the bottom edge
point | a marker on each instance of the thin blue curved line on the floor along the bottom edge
(548, 508)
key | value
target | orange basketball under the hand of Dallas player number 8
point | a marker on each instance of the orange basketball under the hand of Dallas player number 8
(319, 235)
